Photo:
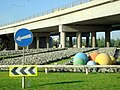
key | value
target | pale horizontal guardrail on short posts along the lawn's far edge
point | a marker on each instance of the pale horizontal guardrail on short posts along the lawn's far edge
(86, 68)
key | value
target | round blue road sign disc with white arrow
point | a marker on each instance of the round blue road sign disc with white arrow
(23, 37)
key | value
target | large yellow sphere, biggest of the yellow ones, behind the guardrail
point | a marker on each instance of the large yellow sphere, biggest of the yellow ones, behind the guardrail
(103, 59)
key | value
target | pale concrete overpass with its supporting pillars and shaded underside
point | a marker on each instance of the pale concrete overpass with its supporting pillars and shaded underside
(91, 17)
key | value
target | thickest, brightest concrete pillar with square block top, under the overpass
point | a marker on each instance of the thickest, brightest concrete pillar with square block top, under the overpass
(62, 36)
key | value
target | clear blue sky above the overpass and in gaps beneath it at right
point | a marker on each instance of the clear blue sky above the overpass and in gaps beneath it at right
(12, 10)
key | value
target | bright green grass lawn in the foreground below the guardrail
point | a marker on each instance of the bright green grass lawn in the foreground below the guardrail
(63, 81)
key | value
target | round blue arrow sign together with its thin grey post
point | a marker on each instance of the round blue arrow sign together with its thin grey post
(23, 37)
